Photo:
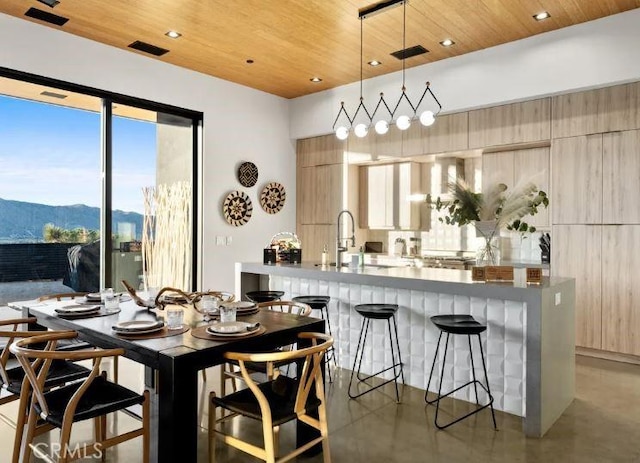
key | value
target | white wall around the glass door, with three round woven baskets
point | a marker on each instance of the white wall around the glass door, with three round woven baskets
(240, 124)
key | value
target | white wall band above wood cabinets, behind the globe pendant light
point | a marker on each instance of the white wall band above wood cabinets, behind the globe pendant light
(594, 54)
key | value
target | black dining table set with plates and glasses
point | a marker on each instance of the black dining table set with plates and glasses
(172, 363)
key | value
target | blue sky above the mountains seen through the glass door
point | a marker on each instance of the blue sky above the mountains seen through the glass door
(51, 155)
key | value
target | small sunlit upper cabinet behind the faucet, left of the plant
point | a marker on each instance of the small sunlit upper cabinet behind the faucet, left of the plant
(384, 196)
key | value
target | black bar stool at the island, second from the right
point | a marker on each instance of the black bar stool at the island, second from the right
(371, 312)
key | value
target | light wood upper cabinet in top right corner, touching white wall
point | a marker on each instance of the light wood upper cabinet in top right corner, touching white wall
(596, 111)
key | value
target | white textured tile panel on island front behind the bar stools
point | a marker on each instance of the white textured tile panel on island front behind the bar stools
(503, 343)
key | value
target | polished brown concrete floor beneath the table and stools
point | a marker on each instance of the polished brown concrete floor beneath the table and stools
(602, 425)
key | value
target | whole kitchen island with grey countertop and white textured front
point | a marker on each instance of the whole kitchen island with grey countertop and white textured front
(529, 343)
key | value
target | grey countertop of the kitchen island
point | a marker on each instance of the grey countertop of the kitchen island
(413, 278)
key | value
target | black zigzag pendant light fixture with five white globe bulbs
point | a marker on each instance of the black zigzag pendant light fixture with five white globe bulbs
(362, 120)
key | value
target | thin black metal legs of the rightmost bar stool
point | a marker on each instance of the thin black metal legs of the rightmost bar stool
(475, 382)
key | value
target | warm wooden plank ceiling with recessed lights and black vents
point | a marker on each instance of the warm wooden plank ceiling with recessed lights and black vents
(291, 41)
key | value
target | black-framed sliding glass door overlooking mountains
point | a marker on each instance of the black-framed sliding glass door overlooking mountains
(94, 189)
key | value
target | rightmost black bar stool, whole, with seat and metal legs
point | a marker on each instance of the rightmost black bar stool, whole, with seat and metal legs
(465, 325)
